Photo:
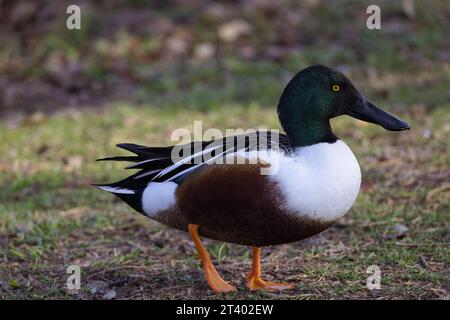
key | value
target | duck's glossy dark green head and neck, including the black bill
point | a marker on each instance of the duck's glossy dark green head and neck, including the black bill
(317, 94)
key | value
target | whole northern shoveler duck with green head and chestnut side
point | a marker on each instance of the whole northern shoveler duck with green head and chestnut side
(314, 183)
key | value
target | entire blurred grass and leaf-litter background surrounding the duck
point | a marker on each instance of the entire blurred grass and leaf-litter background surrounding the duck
(137, 70)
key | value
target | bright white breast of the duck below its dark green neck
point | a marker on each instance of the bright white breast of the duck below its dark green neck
(322, 181)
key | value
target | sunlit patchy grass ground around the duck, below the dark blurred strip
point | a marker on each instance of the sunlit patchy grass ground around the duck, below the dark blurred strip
(50, 216)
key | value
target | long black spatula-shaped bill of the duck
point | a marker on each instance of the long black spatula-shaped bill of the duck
(366, 111)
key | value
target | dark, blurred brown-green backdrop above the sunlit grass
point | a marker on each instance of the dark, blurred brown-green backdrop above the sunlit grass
(199, 54)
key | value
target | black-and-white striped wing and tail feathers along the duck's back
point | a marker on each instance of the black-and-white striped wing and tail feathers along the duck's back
(174, 163)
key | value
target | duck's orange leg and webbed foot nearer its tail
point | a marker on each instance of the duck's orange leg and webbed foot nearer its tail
(214, 279)
